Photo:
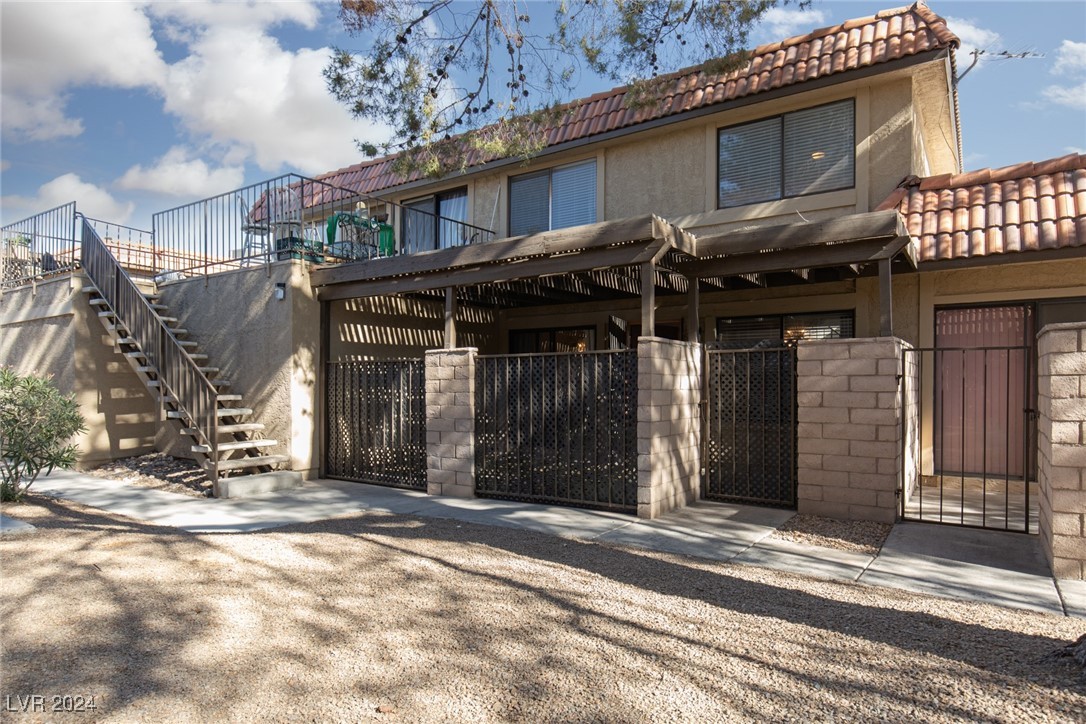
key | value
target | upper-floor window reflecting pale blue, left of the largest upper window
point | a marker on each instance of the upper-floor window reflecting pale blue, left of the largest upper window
(553, 199)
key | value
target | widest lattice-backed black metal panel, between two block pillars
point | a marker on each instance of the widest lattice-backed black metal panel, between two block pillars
(559, 428)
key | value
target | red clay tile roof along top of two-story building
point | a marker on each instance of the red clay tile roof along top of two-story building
(888, 36)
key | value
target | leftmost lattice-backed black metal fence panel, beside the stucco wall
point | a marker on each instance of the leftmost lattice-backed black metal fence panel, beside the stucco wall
(376, 423)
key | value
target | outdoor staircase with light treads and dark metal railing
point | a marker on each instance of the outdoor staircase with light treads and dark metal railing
(225, 442)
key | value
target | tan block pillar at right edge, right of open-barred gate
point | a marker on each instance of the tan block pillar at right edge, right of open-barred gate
(1062, 448)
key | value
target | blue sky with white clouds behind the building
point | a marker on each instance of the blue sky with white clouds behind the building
(133, 108)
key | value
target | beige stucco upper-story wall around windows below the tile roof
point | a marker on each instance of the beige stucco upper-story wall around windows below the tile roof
(672, 171)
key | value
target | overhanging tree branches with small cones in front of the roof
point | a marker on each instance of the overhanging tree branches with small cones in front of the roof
(430, 71)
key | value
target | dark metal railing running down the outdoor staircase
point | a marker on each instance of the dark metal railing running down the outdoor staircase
(180, 375)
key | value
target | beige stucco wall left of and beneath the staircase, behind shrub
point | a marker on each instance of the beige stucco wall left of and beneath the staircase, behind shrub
(50, 329)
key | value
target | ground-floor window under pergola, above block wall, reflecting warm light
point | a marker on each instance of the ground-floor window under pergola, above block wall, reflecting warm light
(778, 331)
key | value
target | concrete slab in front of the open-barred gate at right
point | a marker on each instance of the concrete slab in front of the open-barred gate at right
(991, 567)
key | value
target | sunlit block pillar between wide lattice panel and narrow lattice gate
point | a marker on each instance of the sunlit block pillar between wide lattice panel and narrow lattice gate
(670, 425)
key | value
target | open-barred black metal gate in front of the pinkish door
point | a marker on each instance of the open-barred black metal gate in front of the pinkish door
(970, 438)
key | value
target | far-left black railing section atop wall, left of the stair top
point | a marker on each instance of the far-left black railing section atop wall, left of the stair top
(40, 247)
